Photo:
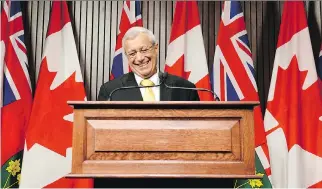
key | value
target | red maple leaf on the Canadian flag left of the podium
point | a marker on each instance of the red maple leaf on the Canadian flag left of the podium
(47, 126)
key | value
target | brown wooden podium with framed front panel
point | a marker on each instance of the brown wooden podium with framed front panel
(163, 139)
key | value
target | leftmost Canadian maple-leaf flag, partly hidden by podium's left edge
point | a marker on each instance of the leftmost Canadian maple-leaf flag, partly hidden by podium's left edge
(48, 152)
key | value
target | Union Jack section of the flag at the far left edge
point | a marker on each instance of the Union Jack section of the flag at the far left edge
(12, 49)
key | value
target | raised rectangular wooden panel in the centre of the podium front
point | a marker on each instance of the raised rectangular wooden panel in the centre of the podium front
(162, 135)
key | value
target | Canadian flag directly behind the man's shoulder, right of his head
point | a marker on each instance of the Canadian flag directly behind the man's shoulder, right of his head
(186, 56)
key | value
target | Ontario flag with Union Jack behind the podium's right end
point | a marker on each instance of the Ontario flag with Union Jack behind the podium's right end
(234, 80)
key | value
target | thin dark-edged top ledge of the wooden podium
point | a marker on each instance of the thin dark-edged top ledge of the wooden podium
(163, 104)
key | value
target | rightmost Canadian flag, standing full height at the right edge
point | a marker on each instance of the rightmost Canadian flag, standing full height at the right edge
(293, 118)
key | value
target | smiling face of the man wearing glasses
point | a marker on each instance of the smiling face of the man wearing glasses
(142, 55)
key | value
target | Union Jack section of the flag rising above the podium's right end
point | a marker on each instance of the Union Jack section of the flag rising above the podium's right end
(233, 58)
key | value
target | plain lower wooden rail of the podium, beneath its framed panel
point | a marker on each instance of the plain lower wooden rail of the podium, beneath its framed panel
(158, 167)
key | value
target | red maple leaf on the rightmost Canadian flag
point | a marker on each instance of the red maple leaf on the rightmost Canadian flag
(296, 110)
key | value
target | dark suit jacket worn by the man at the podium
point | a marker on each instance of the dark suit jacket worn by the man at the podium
(166, 94)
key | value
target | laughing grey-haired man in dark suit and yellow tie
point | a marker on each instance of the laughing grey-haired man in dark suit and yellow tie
(141, 50)
